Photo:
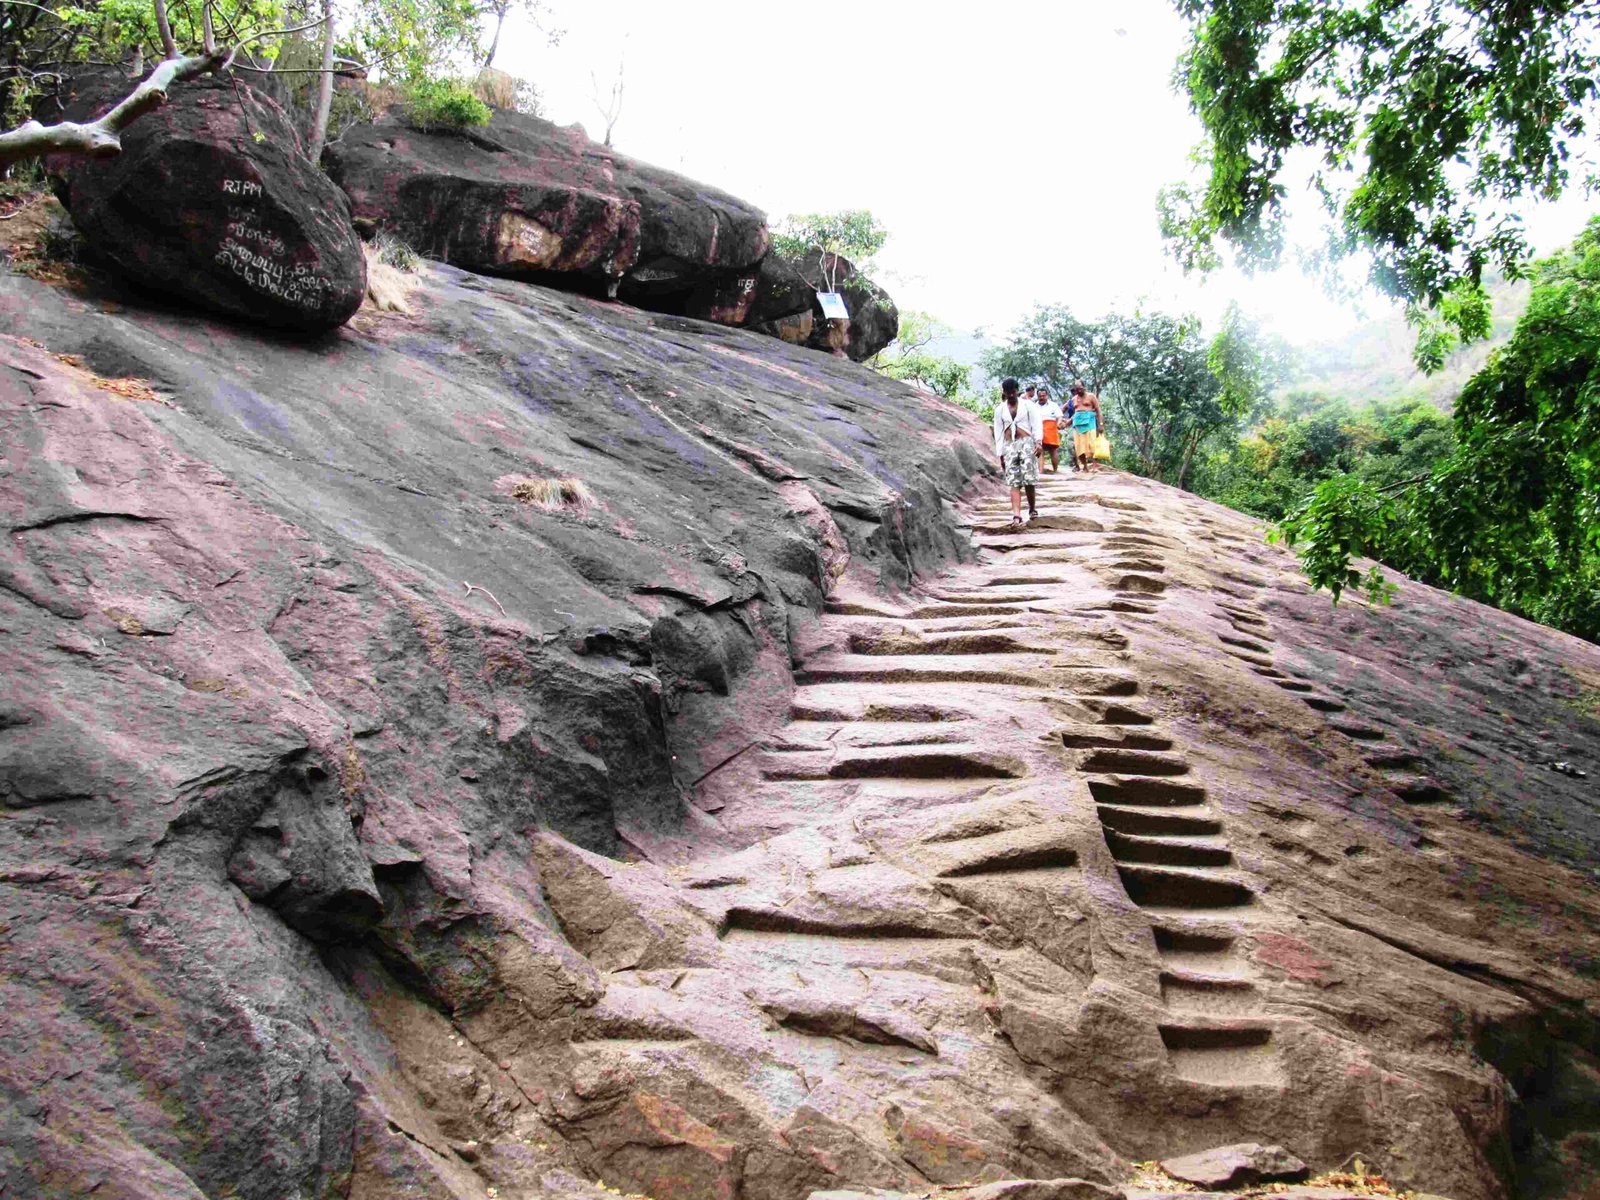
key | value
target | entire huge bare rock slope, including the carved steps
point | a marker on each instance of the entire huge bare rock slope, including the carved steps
(423, 770)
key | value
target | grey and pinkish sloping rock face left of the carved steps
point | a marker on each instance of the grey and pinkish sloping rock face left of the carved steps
(276, 785)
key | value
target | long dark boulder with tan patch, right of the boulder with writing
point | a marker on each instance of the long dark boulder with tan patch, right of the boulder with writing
(537, 201)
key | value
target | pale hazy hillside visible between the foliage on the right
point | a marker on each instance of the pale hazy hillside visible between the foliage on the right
(1374, 362)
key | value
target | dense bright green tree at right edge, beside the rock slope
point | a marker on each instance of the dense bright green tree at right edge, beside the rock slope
(1513, 514)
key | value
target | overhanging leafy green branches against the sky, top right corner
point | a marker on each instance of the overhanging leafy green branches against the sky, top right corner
(1426, 121)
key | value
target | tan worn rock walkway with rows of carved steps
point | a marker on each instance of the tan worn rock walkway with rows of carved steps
(1060, 862)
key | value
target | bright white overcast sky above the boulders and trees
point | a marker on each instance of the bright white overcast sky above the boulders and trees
(1012, 150)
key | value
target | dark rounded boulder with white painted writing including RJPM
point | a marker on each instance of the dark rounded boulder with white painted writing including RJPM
(214, 201)
